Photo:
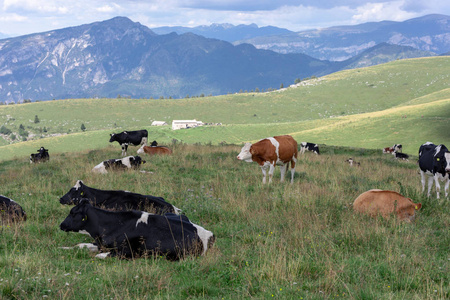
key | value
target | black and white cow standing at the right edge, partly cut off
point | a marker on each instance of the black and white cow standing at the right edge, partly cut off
(434, 161)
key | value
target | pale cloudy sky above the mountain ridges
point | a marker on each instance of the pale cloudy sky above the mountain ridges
(20, 17)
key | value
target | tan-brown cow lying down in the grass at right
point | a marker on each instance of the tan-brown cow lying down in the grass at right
(378, 202)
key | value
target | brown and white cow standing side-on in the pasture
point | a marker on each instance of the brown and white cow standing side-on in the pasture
(271, 151)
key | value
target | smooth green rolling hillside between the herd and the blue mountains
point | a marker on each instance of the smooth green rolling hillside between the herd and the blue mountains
(406, 101)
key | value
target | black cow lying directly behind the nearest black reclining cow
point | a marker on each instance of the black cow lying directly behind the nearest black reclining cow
(117, 199)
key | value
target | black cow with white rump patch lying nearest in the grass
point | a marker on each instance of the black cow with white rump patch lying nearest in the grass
(132, 234)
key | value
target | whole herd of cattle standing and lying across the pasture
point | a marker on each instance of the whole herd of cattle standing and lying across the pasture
(127, 224)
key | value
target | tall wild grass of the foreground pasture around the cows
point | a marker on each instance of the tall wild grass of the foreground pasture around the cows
(280, 240)
